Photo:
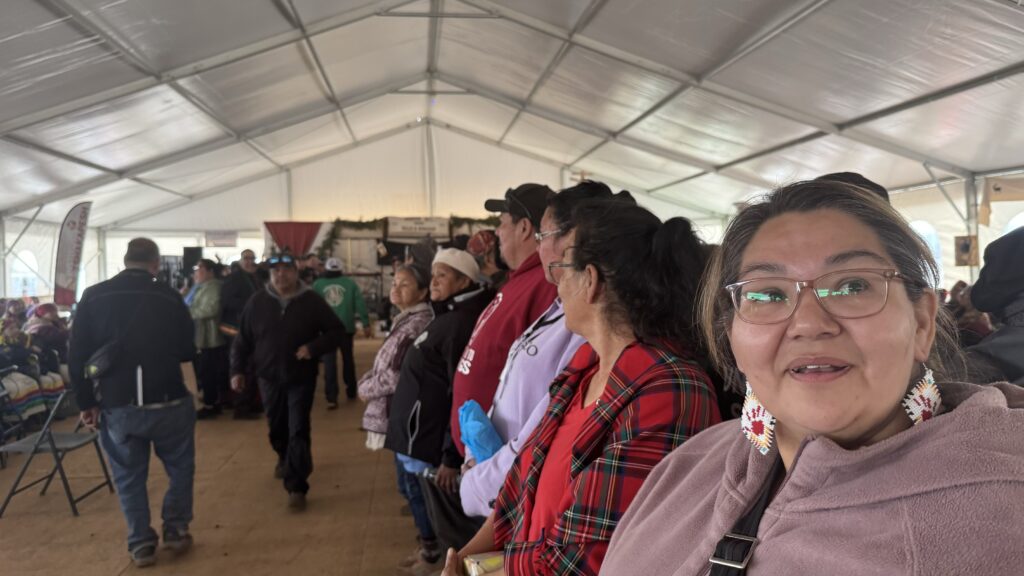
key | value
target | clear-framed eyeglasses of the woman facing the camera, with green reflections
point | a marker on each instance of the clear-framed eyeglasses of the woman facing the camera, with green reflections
(845, 294)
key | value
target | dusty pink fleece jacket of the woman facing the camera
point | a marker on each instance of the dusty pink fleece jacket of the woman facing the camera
(943, 498)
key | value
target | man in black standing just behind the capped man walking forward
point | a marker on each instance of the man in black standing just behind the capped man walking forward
(238, 289)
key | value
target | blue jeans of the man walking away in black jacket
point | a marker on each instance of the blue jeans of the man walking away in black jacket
(127, 434)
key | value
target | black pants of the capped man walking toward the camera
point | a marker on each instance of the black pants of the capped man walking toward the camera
(288, 407)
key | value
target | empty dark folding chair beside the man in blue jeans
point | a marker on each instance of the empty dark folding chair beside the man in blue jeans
(58, 444)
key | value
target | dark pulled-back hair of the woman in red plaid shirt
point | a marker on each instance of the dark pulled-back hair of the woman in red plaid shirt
(653, 270)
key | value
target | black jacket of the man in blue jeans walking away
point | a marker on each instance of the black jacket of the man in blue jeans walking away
(156, 333)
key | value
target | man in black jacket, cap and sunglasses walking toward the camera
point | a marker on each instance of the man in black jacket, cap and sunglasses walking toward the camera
(285, 328)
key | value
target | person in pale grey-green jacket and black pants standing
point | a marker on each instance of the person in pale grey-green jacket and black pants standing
(211, 363)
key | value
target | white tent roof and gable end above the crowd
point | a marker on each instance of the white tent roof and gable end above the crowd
(316, 109)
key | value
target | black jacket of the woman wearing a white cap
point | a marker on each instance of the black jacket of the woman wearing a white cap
(421, 407)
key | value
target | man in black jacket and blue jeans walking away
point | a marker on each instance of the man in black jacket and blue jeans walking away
(144, 330)
